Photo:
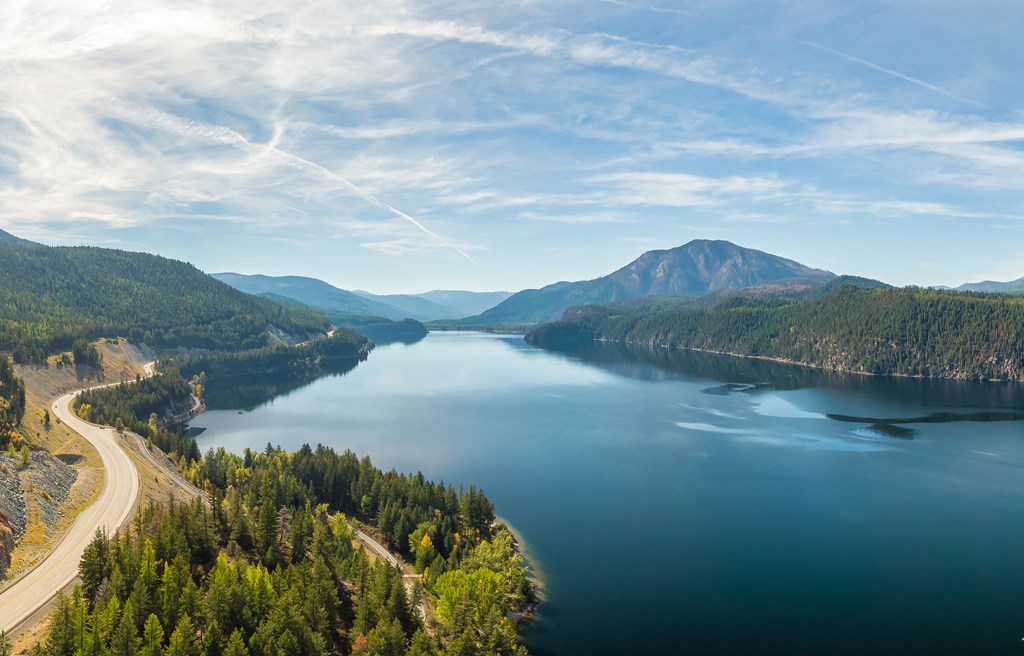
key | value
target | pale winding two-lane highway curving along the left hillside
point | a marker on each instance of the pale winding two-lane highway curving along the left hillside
(110, 512)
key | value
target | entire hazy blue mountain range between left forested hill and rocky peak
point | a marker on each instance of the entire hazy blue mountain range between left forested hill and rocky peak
(343, 305)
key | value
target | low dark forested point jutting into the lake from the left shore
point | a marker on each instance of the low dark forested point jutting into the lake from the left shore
(342, 348)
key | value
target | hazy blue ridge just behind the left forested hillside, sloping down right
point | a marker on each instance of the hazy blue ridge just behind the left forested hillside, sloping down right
(311, 292)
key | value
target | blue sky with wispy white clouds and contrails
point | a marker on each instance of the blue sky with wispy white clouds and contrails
(401, 147)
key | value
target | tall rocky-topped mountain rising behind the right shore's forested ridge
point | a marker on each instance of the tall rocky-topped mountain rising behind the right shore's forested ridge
(699, 268)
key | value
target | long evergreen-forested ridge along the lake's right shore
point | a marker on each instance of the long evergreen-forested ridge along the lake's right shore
(904, 332)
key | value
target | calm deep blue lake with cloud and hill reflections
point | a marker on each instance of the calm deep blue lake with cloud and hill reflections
(684, 504)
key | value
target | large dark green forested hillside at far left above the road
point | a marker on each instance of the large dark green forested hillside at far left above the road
(53, 296)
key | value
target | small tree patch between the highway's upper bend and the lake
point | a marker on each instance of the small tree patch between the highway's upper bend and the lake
(143, 408)
